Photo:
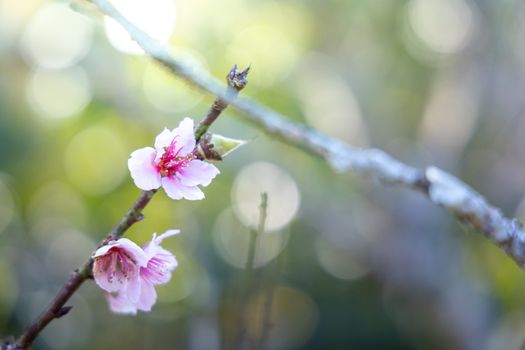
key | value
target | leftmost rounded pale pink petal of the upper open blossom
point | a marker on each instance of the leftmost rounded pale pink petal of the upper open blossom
(143, 170)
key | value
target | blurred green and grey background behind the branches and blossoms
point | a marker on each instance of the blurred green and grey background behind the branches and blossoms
(352, 265)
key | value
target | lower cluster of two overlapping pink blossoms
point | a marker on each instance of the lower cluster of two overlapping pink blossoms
(128, 273)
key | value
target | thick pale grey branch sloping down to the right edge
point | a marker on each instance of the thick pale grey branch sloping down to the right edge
(440, 187)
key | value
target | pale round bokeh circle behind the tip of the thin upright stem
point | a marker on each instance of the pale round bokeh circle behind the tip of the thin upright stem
(283, 195)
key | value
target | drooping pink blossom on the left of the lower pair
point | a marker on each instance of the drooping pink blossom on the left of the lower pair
(116, 267)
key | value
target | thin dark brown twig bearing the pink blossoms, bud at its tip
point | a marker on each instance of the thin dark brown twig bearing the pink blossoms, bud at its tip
(56, 308)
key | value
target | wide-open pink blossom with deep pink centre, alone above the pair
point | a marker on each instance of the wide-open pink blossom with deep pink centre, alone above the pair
(172, 164)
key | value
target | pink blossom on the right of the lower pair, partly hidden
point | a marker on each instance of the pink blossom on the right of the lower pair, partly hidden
(157, 270)
